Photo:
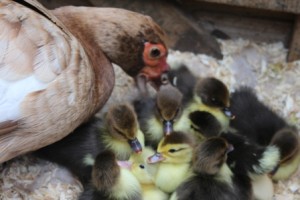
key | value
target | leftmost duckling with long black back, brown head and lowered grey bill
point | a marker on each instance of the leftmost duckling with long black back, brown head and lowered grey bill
(119, 132)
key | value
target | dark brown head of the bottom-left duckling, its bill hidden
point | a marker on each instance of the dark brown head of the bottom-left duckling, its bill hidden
(105, 171)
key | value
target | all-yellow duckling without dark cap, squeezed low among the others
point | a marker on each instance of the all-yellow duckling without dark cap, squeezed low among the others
(142, 171)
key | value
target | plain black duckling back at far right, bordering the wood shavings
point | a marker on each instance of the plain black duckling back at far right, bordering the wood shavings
(253, 118)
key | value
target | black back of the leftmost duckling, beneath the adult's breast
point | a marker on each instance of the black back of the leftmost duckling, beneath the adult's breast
(71, 150)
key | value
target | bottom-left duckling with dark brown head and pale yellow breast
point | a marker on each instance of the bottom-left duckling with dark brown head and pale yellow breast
(111, 181)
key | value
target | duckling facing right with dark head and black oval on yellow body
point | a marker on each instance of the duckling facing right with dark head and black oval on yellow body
(208, 112)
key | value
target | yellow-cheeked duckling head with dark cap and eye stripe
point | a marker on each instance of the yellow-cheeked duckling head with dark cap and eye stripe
(174, 148)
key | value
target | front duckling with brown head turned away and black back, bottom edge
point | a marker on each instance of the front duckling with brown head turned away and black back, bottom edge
(212, 178)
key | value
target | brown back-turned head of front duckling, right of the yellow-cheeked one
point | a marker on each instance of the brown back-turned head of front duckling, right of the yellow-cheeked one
(210, 155)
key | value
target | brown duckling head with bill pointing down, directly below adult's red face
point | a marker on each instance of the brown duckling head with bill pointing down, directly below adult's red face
(168, 104)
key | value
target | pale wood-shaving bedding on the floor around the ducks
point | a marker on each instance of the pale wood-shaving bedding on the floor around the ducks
(261, 66)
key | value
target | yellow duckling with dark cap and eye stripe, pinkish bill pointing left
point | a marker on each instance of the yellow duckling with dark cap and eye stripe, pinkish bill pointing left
(172, 160)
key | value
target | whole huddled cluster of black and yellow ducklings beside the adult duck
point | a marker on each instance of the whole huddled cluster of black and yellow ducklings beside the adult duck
(193, 140)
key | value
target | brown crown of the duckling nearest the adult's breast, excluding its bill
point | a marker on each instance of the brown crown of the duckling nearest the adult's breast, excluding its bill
(122, 119)
